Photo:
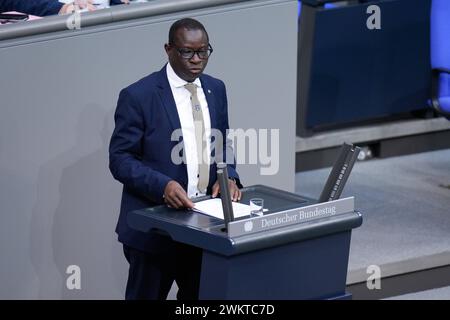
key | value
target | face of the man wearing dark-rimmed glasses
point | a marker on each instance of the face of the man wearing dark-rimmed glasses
(185, 40)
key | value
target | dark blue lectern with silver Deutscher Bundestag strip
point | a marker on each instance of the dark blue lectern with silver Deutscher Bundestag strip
(298, 249)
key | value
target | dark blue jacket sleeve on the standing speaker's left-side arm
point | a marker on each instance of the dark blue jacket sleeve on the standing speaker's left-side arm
(125, 151)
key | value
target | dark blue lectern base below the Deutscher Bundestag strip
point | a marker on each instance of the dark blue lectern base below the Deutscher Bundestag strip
(311, 269)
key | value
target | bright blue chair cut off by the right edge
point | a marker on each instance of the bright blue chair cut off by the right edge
(440, 56)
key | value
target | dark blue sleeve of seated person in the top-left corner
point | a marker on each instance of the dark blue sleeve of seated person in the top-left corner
(35, 7)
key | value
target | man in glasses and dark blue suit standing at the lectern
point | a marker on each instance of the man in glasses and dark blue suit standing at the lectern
(143, 157)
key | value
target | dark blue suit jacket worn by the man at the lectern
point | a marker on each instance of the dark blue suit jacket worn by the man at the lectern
(140, 148)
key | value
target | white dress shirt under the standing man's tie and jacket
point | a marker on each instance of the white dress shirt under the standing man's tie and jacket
(182, 99)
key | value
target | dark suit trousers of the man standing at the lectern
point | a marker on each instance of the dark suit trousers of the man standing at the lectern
(151, 275)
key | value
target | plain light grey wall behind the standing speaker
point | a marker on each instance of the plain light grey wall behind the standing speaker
(58, 201)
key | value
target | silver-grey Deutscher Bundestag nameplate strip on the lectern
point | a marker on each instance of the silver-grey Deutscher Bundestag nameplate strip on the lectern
(291, 217)
